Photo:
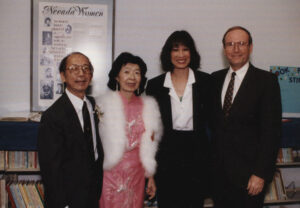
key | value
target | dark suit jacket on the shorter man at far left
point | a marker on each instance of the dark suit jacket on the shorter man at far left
(69, 175)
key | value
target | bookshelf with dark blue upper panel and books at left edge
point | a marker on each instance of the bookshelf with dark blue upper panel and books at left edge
(20, 182)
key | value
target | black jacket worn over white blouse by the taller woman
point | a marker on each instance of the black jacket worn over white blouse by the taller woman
(202, 105)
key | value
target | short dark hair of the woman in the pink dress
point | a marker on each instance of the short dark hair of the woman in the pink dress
(123, 59)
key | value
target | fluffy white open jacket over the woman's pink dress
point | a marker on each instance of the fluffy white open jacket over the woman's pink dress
(113, 134)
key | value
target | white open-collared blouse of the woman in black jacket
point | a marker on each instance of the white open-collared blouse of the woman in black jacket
(182, 111)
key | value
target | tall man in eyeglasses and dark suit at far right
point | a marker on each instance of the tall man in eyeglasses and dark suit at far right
(247, 126)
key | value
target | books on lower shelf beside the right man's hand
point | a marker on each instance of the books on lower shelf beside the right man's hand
(276, 189)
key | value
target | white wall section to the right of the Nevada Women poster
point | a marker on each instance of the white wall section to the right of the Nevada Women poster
(143, 26)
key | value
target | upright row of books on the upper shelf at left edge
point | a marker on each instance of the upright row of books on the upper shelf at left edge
(14, 160)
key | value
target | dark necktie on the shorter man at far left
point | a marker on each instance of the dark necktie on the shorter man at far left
(88, 130)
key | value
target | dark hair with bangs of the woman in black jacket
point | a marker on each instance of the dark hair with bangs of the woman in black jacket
(175, 39)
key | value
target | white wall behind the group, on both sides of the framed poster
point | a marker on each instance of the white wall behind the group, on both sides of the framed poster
(142, 26)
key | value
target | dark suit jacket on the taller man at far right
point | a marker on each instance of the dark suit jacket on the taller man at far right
(247, 141)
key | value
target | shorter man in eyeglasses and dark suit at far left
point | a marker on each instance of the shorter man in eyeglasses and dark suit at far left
(69, 146)
